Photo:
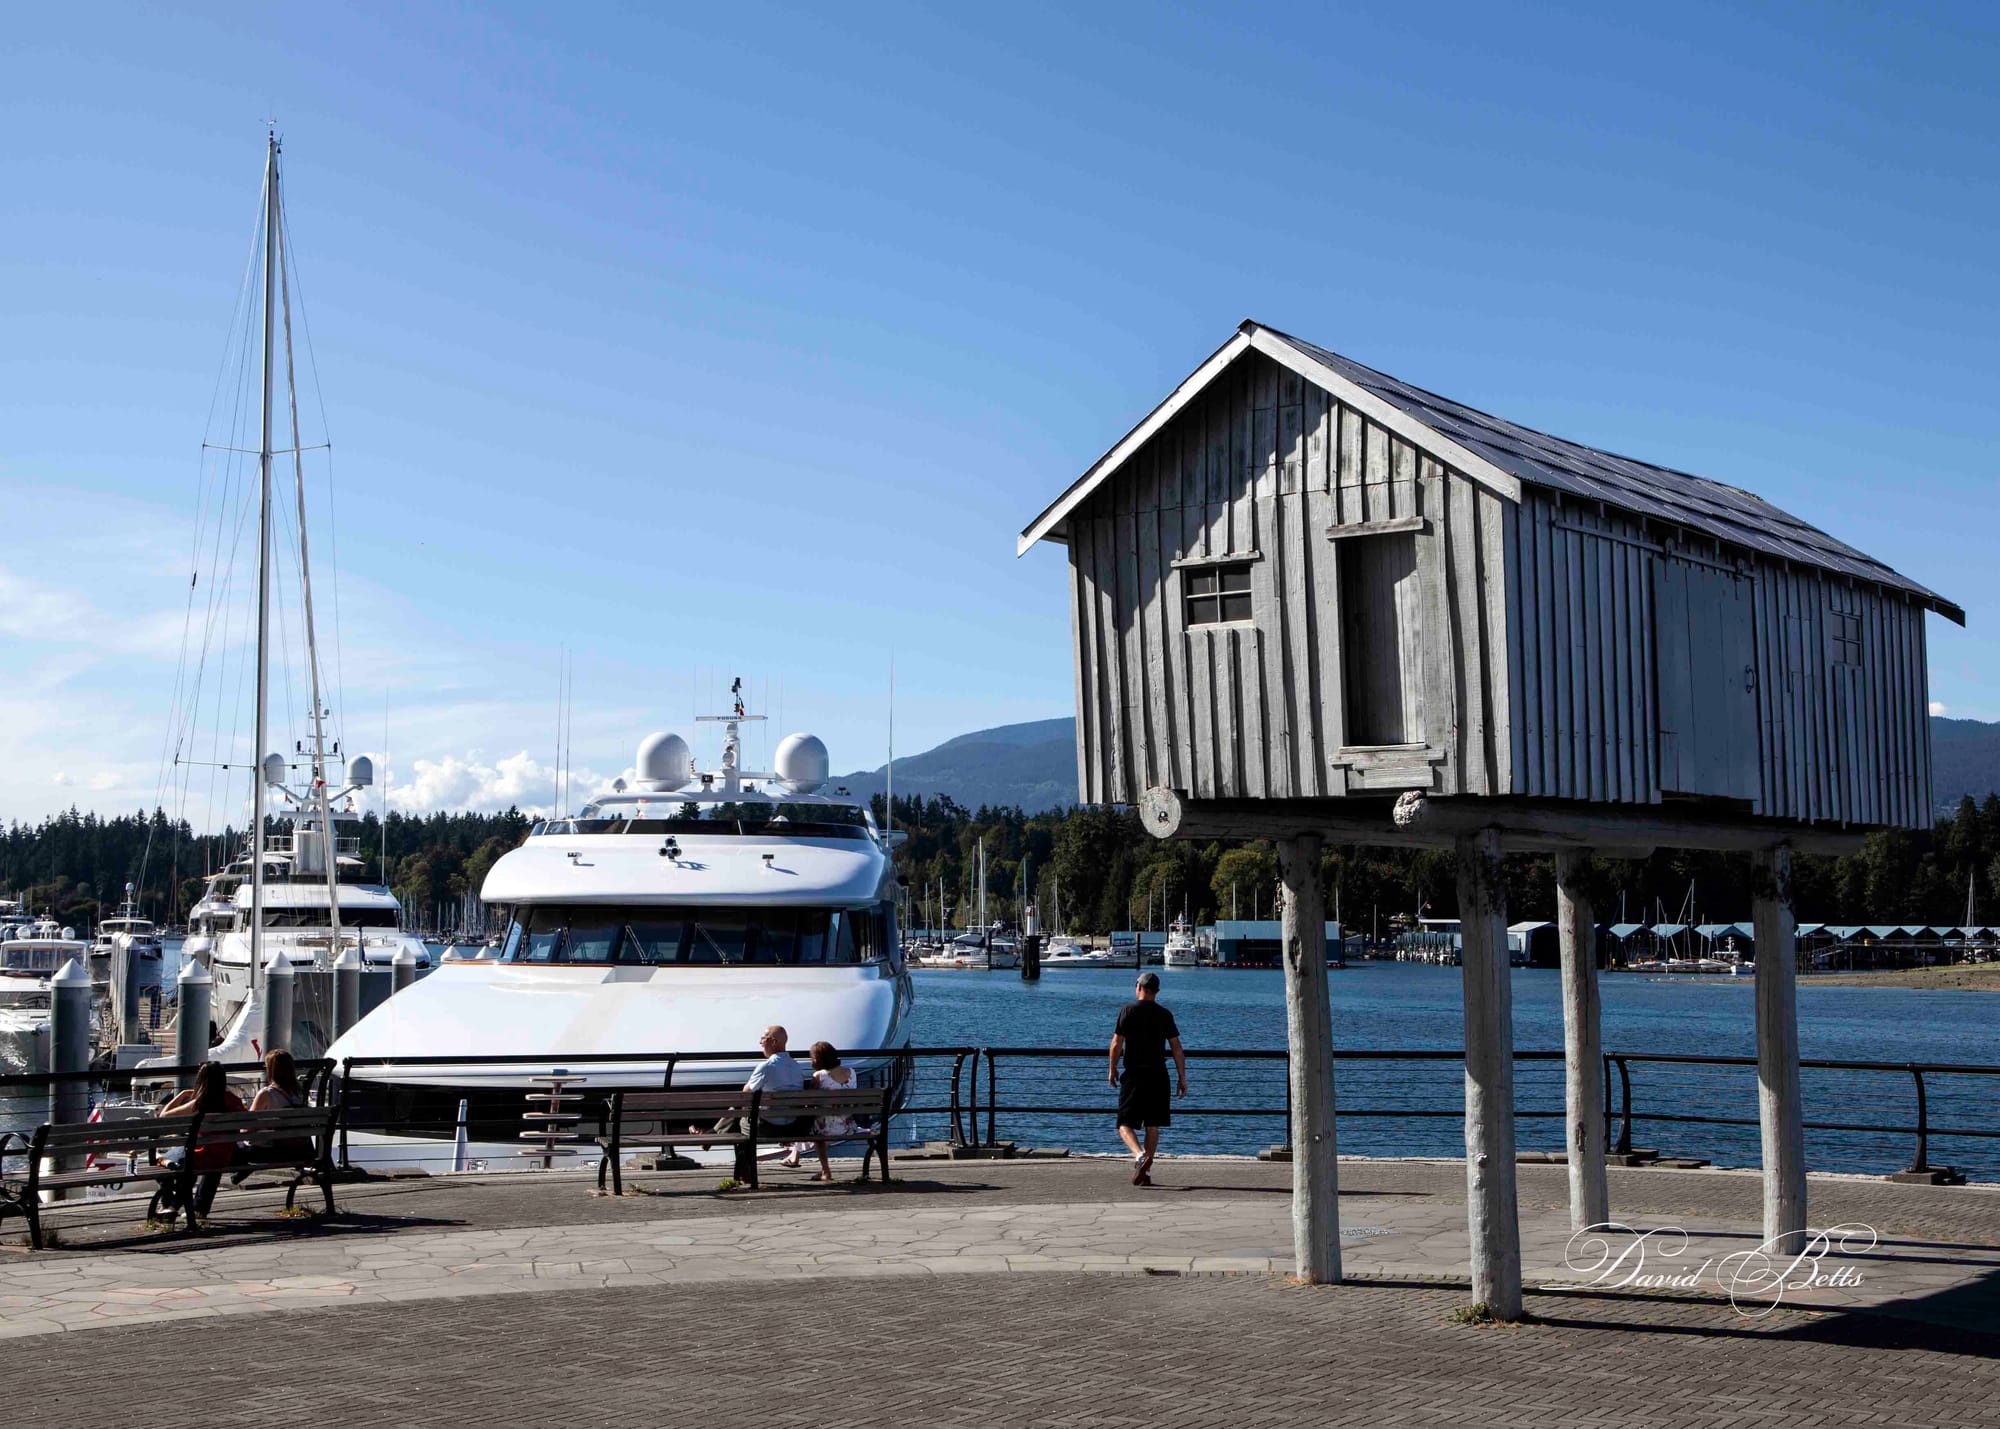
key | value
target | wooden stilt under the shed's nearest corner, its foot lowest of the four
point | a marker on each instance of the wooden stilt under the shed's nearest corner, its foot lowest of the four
(1491, 1204)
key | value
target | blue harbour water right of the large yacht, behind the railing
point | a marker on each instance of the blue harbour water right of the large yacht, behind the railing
(1405, 1006)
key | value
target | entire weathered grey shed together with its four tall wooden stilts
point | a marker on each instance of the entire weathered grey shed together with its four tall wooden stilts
(1315, 603)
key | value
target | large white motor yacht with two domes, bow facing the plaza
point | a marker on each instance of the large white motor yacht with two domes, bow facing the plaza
(681, 916)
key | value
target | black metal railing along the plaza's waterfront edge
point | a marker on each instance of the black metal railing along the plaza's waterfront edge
(987, 1096)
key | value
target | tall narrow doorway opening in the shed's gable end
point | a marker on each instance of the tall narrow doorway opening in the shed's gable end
(1381, 639)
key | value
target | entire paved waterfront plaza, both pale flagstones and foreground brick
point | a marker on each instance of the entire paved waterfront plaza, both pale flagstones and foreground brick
(997, 1294)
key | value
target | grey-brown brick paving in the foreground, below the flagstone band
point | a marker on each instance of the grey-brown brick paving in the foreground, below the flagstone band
(1063, 1352)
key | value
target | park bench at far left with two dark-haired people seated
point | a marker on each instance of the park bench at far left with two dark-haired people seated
(111, 1154)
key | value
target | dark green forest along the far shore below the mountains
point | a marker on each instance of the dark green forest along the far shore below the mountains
(1109, 872)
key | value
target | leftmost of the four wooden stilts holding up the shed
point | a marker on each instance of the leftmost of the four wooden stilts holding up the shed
(1309, 1024)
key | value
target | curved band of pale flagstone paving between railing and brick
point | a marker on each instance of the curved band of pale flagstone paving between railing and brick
(427, 1242)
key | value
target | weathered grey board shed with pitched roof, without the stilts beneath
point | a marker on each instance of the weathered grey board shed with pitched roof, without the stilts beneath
(1301, 579)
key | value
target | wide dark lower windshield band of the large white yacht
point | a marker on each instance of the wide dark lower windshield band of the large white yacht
(715, 938)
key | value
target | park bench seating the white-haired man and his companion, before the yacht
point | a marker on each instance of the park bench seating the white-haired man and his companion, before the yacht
(663, 1120)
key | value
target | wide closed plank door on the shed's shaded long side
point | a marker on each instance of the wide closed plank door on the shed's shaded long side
(1705, 645)
